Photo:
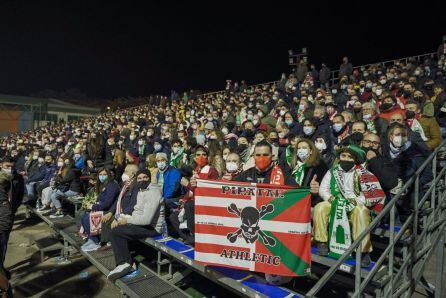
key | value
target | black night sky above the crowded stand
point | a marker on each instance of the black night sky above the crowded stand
(110, 49)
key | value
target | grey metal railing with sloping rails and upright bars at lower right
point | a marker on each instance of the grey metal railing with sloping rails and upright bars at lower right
(424, 229)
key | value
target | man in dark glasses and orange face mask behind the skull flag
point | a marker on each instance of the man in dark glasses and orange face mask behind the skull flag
(265, 171)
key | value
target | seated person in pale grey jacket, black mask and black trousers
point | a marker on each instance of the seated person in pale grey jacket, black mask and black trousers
(145, 220)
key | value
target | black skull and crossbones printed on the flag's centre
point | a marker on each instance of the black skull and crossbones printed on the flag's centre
(250, 229)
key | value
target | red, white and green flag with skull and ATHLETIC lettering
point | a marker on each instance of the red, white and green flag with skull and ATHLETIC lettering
(256, 227)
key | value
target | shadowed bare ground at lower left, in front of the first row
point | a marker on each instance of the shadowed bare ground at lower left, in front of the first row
(33, 278)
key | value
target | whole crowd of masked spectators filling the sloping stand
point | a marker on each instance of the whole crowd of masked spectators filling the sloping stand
(137, 169)
